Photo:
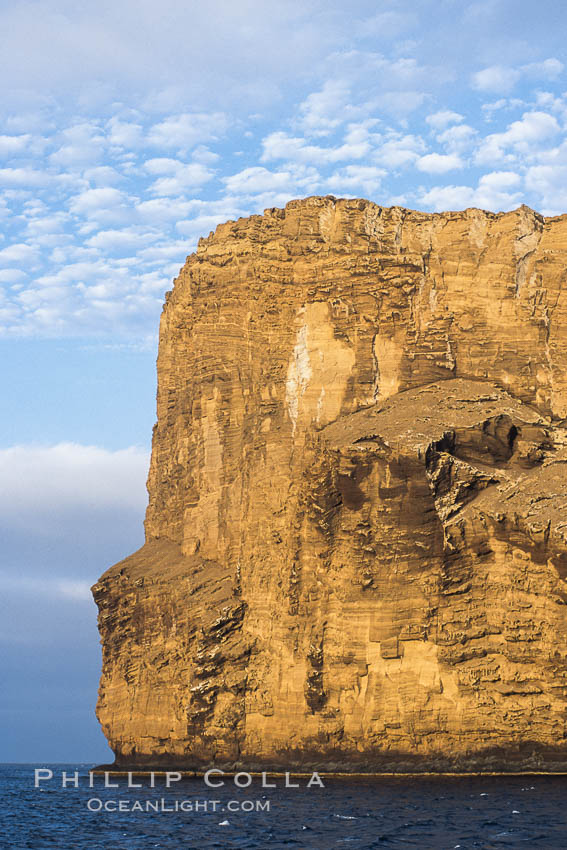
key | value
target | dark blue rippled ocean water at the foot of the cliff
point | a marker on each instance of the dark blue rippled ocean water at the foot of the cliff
(432, 813)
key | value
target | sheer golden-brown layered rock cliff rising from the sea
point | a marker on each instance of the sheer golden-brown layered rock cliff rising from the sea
(357, 528)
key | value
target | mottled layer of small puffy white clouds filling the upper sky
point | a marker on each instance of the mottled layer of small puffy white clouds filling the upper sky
(112, 168)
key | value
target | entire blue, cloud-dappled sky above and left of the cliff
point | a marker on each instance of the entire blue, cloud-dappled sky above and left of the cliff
(128, 130)
